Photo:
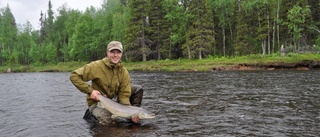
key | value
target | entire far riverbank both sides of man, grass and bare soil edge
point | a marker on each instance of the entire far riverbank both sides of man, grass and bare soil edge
(250, 62)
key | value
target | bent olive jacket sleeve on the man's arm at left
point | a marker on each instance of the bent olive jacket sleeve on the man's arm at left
(80, 77)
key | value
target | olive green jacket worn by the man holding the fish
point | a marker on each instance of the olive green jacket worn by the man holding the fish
(110, 79)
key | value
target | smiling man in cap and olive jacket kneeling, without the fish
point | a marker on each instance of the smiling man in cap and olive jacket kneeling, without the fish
(109, 78)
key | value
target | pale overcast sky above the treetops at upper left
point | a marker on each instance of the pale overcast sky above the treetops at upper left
(24, 10)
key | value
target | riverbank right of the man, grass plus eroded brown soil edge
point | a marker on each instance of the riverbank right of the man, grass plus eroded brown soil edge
(250, 62)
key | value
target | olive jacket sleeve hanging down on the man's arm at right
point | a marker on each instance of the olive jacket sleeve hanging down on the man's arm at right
(125, 89)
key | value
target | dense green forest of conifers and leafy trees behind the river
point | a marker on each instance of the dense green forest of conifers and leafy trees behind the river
(163, 29)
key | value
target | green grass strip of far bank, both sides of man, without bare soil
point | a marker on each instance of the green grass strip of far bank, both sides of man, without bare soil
(175, 65)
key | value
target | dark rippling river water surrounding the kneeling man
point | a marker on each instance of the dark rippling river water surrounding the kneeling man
(227, 103)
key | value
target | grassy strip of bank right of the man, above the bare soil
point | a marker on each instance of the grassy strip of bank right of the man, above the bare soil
(208, 64)
